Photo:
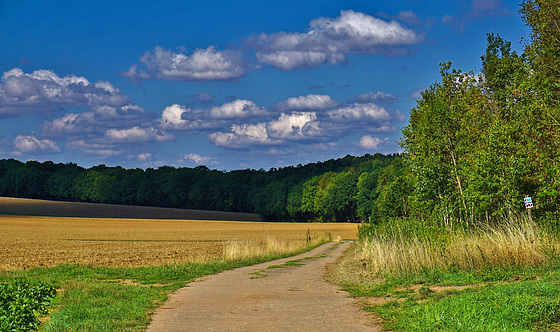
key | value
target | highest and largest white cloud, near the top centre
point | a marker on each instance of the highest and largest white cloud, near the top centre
(329, 40)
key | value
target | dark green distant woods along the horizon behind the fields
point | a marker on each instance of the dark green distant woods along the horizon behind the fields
(334, 190)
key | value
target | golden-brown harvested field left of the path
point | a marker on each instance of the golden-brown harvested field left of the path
(30, 241)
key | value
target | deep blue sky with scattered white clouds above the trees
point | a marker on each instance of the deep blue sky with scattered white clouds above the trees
(228, 84)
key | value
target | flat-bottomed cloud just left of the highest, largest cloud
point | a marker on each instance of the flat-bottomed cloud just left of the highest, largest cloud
(200, 65)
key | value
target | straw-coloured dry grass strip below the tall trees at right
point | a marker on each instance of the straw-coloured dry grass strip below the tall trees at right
(511, 244)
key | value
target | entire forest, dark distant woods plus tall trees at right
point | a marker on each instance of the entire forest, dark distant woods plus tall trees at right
(476, 144)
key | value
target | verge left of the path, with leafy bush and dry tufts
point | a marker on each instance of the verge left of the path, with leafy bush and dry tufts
(116, 299)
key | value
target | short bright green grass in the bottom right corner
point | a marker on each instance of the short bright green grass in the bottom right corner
(522, 306)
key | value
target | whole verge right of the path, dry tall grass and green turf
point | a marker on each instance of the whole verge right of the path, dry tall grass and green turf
(504, 278)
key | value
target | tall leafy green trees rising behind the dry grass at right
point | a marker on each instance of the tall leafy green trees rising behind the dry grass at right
(478, 143)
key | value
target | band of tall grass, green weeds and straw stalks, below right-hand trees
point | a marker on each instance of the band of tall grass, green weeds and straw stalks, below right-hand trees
(410, 247)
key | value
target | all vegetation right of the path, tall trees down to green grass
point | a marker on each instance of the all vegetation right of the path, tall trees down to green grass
(452, 247)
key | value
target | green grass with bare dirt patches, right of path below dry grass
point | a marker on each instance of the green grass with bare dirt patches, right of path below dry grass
(515, 300)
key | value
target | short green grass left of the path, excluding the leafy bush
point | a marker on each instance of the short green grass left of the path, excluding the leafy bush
(115, 299)
